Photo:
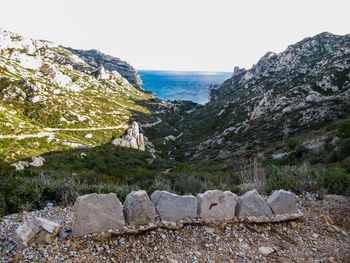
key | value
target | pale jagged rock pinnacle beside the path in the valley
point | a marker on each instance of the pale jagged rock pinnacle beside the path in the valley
(131, 138)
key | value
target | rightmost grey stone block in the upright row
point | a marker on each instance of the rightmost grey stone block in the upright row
(282, 202)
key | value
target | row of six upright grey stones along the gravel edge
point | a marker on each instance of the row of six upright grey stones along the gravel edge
(102, 212)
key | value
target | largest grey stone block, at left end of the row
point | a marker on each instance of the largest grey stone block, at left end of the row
(97, 213)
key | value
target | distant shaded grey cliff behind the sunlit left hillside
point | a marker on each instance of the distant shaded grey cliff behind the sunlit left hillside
(97, 59)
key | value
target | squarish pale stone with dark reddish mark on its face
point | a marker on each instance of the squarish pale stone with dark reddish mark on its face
(215, 205)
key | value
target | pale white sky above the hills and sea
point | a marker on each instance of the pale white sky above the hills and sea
(197, 35)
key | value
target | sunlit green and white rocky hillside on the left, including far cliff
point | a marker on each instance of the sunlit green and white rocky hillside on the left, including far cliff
(51, 99)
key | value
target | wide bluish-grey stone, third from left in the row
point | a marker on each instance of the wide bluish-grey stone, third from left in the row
(172, 207)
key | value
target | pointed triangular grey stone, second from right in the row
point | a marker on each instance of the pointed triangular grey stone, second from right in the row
(251, 204)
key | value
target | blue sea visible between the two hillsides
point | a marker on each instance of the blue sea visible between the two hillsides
(184, 85)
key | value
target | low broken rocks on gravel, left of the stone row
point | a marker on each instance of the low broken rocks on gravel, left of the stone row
(37, 230)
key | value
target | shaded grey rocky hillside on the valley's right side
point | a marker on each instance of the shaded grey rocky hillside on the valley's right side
(302, 88)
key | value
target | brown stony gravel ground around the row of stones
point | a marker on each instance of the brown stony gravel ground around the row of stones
(314, 238)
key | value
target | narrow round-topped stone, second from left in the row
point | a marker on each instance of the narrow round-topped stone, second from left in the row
(139, 209)
